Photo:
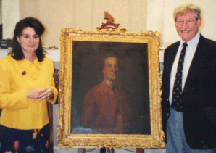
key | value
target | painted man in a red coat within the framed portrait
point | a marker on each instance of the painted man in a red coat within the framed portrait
(104, 106)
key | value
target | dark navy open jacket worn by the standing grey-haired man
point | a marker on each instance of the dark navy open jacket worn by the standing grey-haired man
(199, 94)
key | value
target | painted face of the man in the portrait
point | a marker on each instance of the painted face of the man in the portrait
(110, 68)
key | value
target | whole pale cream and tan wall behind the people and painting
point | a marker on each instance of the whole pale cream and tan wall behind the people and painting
(134, 15)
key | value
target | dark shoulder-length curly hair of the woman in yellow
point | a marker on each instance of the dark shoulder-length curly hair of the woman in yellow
(22, 24)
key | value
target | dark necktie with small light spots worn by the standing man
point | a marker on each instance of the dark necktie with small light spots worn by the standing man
(177, 88)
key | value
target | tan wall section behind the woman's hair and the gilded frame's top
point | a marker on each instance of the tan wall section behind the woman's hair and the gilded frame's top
(84, 14)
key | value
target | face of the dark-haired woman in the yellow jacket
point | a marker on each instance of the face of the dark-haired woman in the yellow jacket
(28, 40)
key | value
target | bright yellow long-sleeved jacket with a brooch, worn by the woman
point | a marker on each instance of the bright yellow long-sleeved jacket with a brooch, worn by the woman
(16, 78)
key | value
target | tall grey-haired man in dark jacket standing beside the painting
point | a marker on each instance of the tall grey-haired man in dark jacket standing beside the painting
(189, 87)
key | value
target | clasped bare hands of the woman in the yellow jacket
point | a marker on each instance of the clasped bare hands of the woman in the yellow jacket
(40, 93)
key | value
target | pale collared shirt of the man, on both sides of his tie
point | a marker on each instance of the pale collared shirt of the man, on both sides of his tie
(190, 51)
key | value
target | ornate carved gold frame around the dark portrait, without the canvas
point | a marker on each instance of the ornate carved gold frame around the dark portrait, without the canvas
(65, 139)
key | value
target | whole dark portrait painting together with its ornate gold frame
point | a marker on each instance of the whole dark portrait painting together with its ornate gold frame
(109, 90)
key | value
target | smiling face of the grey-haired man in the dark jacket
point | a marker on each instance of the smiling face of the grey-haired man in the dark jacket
(187, 26)
